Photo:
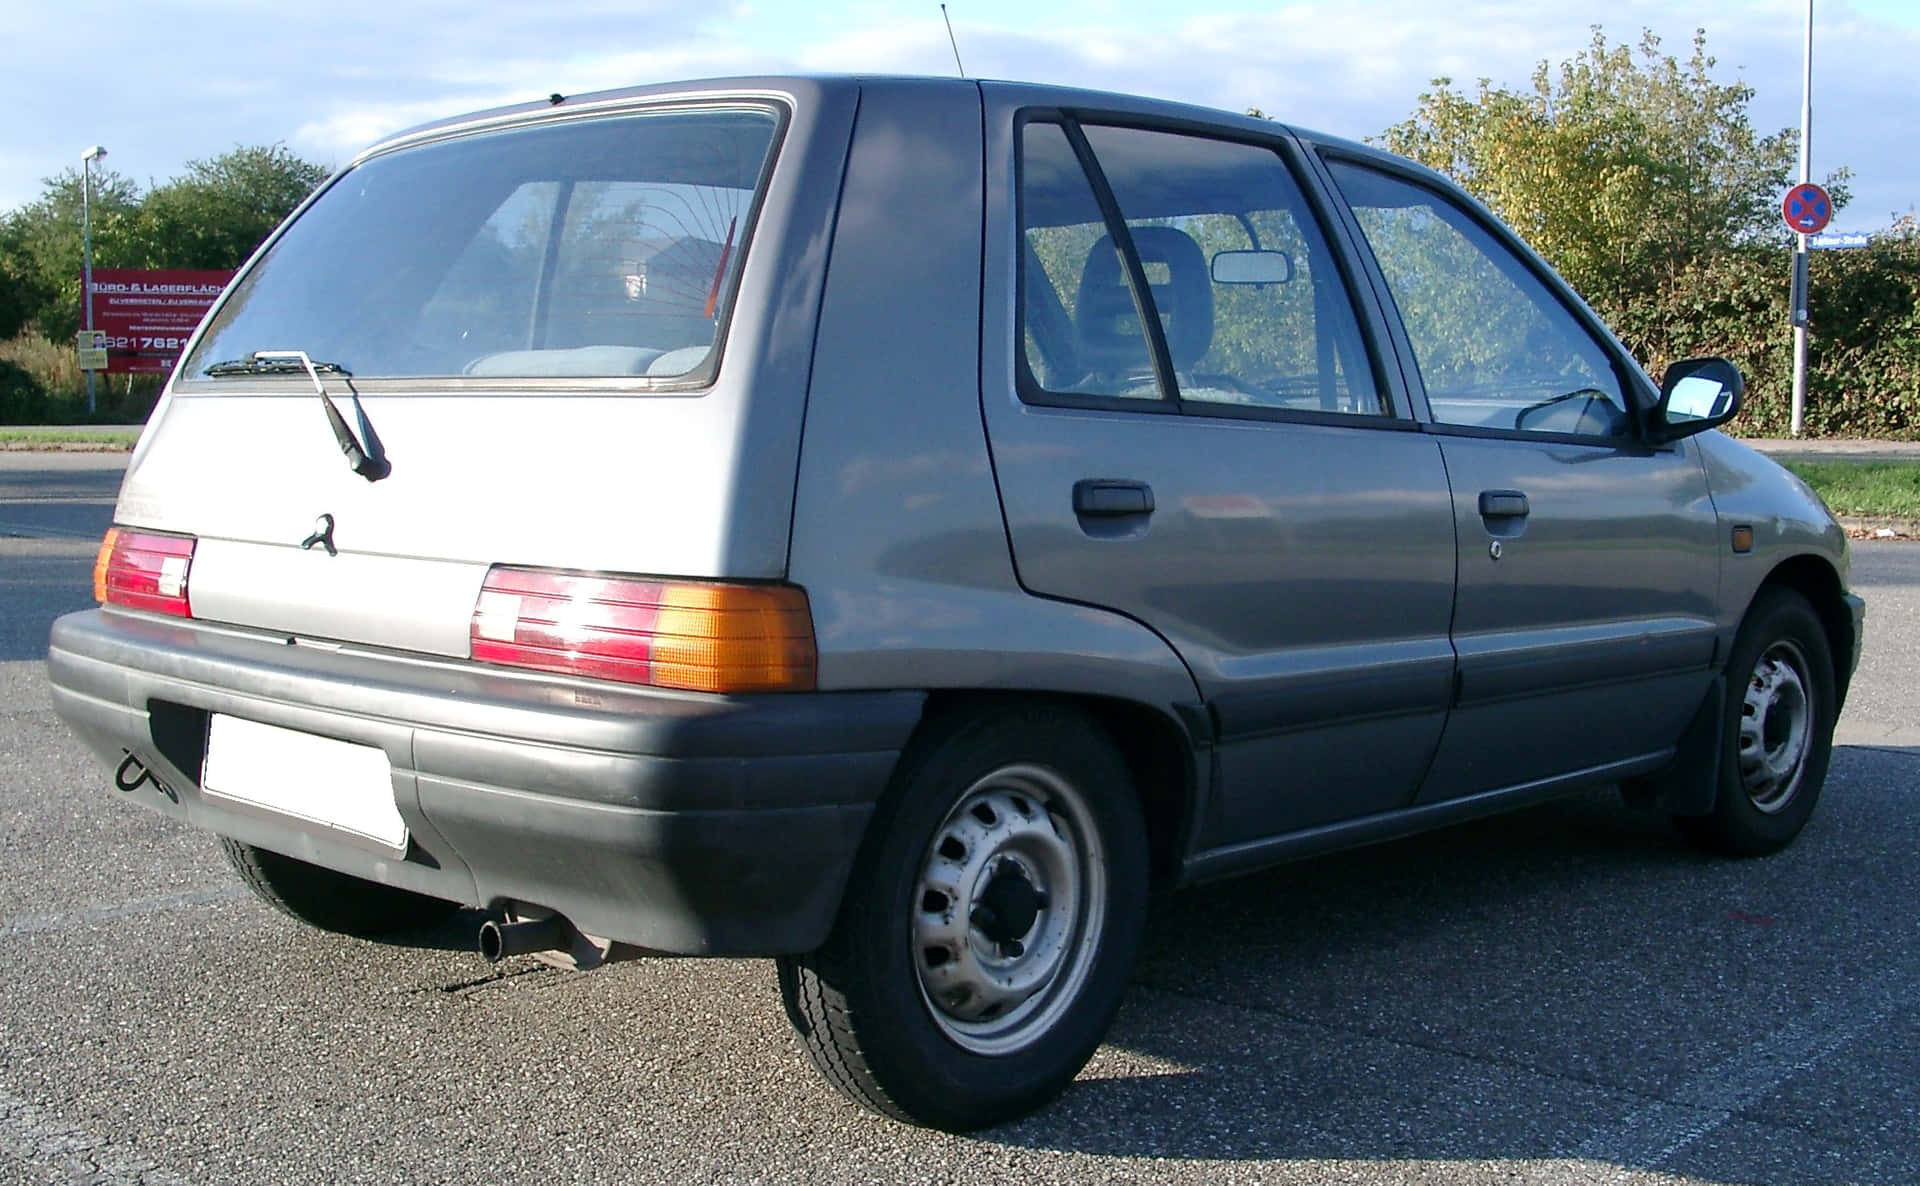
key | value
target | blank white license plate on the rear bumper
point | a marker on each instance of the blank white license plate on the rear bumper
(331, 784)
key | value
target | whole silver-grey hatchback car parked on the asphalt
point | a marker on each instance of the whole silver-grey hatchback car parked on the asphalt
(894, 525)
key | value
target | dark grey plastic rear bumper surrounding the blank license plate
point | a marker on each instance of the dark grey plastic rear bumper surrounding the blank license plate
(694, 824)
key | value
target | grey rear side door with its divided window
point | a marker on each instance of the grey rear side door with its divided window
(1189, 425)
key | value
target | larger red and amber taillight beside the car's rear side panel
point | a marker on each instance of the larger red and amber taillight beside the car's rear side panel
(671, 634)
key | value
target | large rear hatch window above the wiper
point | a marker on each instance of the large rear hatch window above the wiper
(583, 249)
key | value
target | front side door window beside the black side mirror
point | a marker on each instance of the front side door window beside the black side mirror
(1495, 346)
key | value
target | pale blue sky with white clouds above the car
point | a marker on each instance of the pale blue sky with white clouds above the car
(168, 82)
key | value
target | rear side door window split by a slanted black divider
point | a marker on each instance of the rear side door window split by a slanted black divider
(1251, 306)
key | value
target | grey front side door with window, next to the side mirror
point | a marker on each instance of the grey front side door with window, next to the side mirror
(1589, 561)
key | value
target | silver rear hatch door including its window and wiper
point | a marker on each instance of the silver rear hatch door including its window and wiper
(567, 339)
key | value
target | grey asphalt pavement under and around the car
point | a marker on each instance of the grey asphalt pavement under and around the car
(1564, 995)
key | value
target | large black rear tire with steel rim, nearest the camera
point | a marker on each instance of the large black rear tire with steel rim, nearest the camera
(990, 924)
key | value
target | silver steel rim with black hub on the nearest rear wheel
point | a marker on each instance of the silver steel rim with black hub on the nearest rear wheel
(1020, 824)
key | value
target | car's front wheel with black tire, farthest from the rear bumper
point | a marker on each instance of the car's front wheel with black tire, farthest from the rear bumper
(1777, 730)
